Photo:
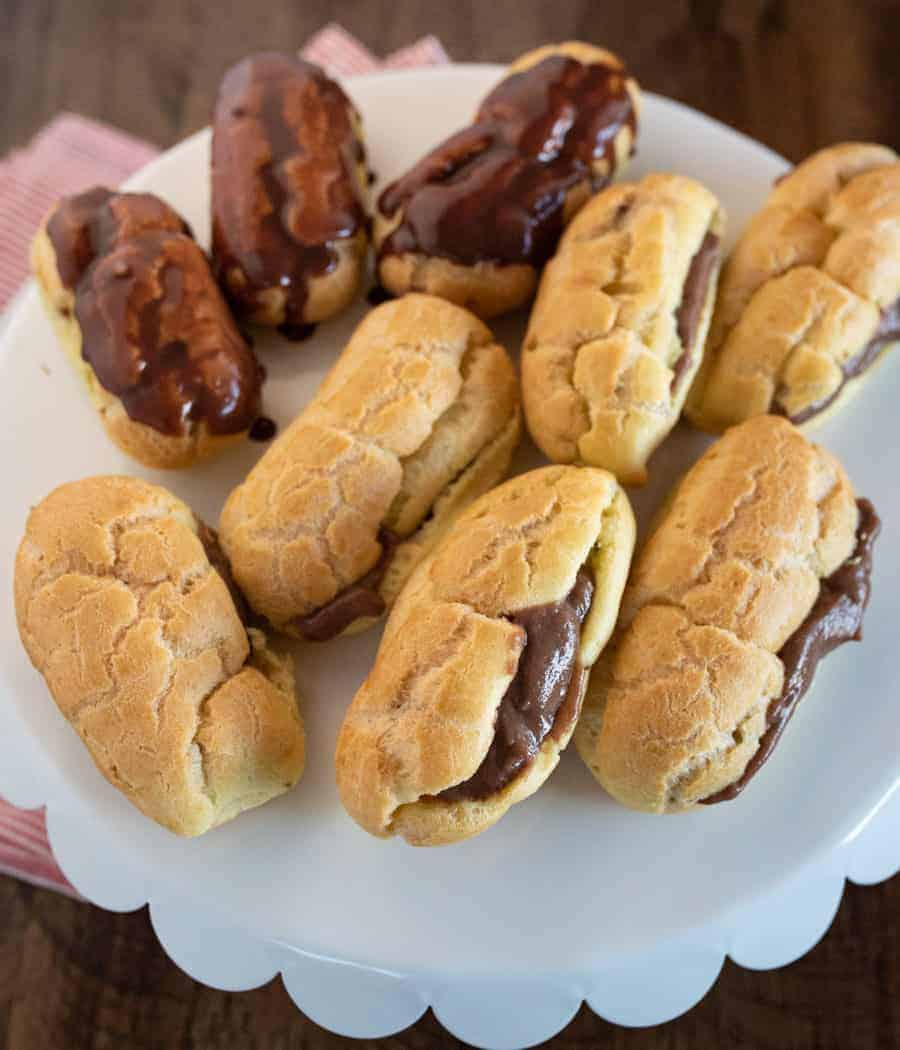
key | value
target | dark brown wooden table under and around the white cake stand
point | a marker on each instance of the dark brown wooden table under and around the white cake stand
(798, 75)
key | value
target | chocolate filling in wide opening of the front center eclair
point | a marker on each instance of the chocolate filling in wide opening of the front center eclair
(545, 698)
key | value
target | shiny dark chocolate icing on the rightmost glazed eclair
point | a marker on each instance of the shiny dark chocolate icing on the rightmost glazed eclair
(495, 192)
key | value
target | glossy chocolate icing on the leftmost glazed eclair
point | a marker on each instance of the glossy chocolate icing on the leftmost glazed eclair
(155, 328)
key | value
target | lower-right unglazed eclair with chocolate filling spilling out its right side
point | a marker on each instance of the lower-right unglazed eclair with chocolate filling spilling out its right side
(759, 569)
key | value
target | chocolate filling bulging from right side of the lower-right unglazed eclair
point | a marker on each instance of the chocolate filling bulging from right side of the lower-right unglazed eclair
(836, 618)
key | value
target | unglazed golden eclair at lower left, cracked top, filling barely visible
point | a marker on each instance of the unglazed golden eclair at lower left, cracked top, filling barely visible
(123, 610)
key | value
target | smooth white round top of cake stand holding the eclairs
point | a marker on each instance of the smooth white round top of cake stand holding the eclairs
(569, 885)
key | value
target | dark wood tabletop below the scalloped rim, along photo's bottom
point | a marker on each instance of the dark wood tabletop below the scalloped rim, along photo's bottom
(74, 978)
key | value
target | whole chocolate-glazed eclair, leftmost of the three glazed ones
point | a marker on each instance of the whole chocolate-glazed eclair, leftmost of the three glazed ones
(139, 314)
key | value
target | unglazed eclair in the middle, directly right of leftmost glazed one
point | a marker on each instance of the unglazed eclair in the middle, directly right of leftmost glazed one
(418, 417)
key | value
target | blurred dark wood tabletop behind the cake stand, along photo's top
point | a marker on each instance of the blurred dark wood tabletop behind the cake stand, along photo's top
(794, 74)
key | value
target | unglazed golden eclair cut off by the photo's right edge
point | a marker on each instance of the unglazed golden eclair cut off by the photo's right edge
(810, 297)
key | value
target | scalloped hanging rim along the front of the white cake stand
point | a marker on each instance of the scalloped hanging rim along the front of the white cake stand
(488, 1012)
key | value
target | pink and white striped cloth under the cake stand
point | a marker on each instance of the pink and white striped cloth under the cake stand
(70, 155)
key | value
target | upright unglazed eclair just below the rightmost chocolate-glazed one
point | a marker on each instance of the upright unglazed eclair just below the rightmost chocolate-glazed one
(618, 330)
